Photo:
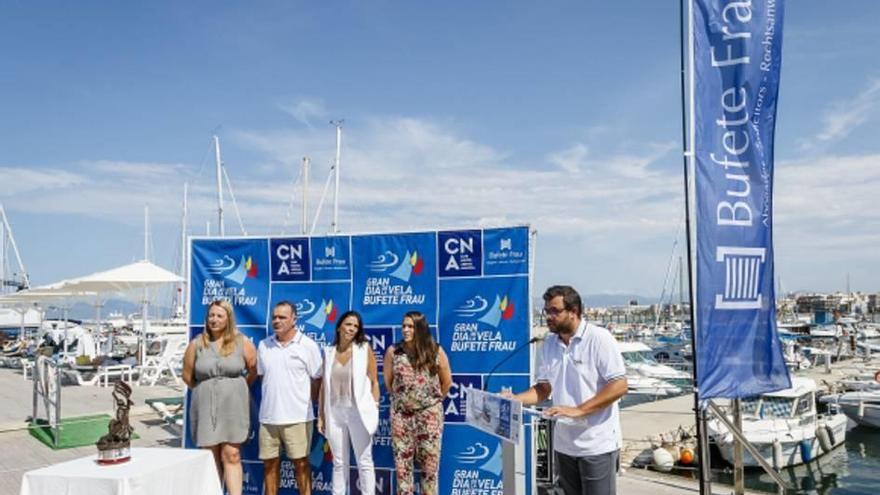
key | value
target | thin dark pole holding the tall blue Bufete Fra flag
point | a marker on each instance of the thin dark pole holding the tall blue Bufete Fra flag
(687, 135)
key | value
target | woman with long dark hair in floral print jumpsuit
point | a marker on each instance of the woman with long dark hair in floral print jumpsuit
(417, 376)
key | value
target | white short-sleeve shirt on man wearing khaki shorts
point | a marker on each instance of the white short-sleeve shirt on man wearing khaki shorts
(287, 371)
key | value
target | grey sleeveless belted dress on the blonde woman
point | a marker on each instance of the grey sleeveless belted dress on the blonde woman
(220, 407)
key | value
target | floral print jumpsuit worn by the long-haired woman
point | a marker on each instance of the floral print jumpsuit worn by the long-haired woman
(416, 424)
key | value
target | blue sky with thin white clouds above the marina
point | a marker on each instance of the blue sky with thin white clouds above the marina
(564, 115)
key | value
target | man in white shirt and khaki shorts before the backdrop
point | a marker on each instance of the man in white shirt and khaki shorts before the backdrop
(290, 365)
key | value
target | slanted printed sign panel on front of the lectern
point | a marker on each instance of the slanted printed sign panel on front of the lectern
(494, 414)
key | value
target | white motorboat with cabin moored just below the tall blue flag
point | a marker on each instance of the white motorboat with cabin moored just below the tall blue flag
(784, 426)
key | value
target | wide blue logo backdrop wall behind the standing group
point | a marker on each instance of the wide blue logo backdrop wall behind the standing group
(473, 286)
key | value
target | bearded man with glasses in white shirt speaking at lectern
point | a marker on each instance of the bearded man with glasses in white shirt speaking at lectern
(583, 371)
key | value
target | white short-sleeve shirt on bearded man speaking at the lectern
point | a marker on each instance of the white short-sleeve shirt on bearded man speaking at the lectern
(576, 373)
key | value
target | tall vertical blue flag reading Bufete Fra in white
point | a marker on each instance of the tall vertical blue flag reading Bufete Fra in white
(736, 61)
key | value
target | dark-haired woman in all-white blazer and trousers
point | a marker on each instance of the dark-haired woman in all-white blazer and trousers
(349, 403)
